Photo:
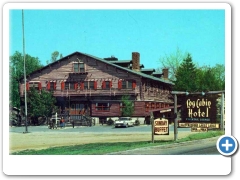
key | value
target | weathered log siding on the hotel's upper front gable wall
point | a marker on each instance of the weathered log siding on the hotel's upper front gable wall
(96, 71)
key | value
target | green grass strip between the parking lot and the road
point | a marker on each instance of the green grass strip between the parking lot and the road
(104, 148)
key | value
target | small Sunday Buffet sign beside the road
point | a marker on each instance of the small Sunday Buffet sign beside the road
(161, 127)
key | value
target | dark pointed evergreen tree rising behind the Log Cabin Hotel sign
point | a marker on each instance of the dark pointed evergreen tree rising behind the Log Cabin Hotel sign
(186, 76)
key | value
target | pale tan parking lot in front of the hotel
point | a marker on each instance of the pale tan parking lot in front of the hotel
(40, 137)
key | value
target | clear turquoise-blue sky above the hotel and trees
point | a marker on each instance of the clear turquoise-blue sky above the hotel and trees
(103, 33)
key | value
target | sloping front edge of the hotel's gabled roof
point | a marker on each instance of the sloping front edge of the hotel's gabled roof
(109, 63)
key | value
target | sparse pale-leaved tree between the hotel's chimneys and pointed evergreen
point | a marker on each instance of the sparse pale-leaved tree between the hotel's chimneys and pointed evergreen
(172, 62)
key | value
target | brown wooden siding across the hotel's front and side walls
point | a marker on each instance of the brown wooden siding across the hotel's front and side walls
(61, 73)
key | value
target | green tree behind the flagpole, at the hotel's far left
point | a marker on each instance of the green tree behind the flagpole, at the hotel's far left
(17, 72)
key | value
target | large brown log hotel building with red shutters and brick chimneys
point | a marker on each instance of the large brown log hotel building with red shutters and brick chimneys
(88, 85)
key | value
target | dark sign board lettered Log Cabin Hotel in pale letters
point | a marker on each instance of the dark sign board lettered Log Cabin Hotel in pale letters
(199, 109)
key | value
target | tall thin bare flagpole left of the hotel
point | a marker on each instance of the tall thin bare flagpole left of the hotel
(25, 89)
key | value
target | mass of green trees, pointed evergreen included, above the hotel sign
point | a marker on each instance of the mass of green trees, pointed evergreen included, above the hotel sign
(206, 78)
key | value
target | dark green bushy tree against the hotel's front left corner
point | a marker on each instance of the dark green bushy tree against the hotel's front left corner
(40, 103)
